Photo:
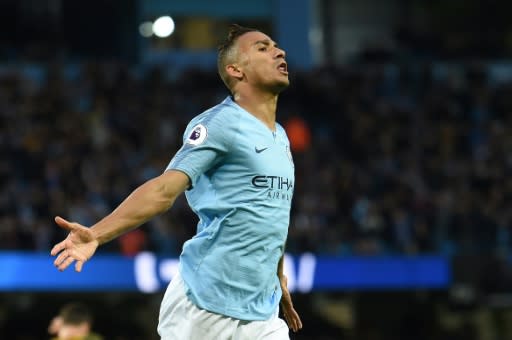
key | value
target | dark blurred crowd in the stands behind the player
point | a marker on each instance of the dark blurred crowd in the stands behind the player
(389, 159)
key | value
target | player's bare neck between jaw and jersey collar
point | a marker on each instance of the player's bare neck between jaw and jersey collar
(261, 105)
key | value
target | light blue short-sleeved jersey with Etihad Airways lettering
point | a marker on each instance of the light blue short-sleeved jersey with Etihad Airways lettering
(242, 178)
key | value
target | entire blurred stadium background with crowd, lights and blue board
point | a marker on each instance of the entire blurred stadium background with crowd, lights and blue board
(399, 115)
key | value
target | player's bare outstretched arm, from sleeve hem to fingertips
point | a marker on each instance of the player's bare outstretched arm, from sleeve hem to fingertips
(150, 199)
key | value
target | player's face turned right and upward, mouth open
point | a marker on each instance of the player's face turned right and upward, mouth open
(263, 62)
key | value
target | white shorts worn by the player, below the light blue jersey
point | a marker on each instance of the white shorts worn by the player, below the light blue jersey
(180, 319)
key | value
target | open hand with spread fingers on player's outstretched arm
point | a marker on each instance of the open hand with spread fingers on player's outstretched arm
(79, 245)
